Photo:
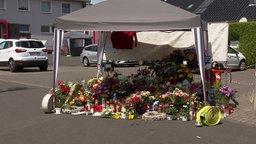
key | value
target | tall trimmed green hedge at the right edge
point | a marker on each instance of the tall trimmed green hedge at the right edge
(245, 33)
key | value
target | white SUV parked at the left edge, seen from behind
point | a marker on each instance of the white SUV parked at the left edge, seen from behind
(20, 53)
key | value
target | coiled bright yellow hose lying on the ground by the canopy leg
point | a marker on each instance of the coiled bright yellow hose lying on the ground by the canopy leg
(208, 115)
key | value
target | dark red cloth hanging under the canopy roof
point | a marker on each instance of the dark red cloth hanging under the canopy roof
(123, 40)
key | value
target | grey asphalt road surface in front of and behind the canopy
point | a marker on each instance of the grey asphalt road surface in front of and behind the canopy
(23, 122)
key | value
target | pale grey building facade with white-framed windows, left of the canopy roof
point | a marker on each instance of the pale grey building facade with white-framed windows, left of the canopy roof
(34, 18)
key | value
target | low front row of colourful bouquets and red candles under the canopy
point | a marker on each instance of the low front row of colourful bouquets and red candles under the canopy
(137, 103)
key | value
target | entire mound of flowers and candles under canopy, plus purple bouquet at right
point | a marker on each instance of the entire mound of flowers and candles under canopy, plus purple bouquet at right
(166, 86)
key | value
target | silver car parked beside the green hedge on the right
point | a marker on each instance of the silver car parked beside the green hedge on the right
(236, 59)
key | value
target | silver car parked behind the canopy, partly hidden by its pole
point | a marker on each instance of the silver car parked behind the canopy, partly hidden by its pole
(89, 57)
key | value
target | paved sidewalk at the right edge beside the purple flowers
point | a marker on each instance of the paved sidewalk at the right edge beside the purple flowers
(244, 83)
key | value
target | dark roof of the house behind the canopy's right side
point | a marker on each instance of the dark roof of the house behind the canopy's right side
(219, 10)
